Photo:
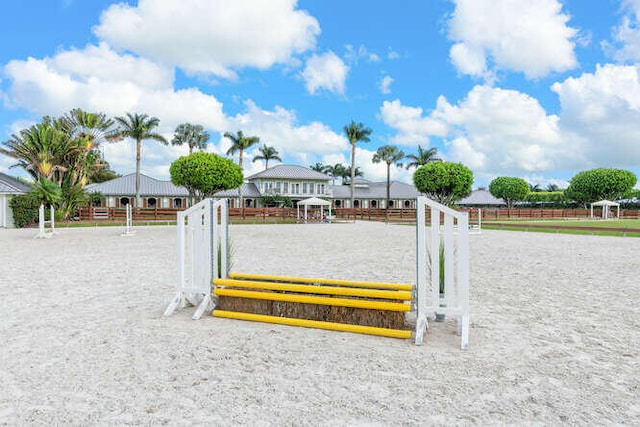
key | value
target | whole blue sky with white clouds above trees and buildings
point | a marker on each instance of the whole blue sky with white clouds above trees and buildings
(539, 89)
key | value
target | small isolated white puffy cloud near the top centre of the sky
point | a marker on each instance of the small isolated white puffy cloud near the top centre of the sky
(325, 71)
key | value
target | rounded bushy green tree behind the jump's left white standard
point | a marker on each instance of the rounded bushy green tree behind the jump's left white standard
(204, 174)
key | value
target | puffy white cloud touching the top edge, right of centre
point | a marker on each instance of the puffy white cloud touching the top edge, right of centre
(515, 35)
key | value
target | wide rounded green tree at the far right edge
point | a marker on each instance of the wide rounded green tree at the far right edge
(598, 184)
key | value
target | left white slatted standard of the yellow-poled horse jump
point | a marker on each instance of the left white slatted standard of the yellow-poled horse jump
(202, 253)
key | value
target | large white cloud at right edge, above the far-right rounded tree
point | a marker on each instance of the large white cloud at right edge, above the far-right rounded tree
(600, 112)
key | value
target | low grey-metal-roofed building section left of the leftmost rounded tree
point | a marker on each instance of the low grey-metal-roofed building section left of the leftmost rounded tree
(121, 191)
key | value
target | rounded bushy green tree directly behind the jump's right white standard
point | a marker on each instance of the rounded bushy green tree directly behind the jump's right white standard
(444, 182)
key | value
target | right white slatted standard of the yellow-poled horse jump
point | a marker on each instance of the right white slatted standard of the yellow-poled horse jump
(449, 229)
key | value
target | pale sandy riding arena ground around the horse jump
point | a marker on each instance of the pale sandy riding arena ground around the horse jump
(555, 334)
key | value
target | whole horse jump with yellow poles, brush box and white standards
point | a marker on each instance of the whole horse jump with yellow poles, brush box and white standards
(363, 307)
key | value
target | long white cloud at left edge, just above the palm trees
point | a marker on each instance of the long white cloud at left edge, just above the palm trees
(98, 79)
